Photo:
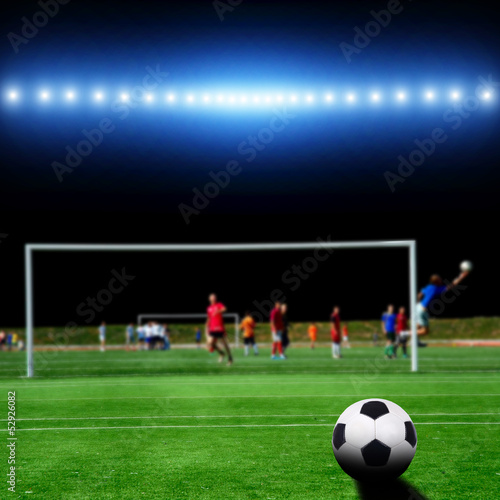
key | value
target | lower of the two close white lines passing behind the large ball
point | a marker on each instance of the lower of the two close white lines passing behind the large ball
(220, 426)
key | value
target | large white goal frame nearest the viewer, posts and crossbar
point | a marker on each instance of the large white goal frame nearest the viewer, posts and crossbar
(410, 245)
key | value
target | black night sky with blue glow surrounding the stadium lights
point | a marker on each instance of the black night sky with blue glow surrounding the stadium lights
(323, 174)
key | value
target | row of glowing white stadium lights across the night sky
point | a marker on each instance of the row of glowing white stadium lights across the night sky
(329, 98)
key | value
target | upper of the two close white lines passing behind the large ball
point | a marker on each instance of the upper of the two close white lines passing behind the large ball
(232, 416)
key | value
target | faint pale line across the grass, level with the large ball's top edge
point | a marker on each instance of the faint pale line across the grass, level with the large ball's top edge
(257, 396)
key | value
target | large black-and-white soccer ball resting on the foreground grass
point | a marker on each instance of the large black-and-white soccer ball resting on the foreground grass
(374, 440)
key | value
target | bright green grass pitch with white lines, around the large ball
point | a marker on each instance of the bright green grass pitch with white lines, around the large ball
(183, 426)
